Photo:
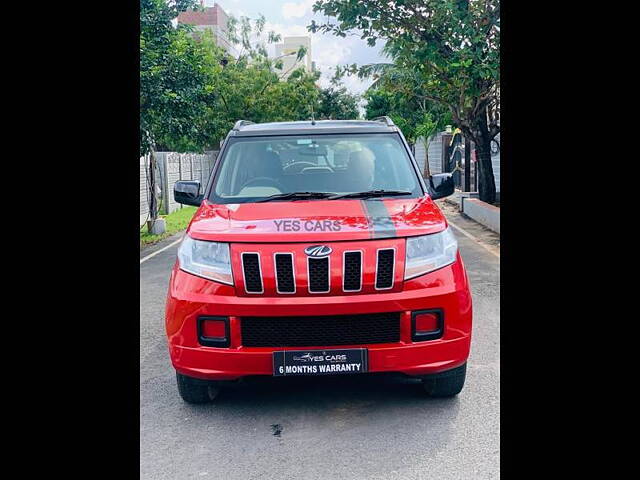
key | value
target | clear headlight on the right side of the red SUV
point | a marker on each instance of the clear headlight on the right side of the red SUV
(430, 252)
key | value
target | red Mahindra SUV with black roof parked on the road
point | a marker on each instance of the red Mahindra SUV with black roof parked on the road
(317, 249)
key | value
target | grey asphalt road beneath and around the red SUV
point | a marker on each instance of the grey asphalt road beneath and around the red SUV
(343, 427)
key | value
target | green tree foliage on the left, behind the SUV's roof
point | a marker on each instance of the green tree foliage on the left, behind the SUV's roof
(192, 91)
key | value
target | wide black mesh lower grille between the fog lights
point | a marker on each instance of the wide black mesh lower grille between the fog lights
(320, 330)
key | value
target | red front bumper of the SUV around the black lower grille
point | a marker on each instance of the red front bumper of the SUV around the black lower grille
(190, 297)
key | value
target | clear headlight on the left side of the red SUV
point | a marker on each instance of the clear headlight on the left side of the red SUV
(206, 259)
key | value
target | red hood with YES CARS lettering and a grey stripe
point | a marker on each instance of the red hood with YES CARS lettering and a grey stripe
(316, 220)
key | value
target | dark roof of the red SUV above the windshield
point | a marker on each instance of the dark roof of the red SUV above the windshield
(244, 128)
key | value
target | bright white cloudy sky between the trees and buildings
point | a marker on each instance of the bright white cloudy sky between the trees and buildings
(291, 17)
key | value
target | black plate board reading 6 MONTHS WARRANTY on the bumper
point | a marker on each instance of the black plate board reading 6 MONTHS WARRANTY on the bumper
(319, 362)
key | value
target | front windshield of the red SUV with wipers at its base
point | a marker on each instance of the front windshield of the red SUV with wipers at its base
(290, 167)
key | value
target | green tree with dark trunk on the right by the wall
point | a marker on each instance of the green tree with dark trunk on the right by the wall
(450, 46)
